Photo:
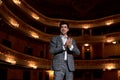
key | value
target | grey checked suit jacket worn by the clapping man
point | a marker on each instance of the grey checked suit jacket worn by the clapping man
(56, 48)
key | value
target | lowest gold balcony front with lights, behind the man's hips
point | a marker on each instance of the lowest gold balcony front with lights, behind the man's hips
(14, 57)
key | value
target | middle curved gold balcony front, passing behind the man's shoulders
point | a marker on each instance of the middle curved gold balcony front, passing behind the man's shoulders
(18, 24)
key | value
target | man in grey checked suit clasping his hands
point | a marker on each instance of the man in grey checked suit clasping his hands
(62, 47)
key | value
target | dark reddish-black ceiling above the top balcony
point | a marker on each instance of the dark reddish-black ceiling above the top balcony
(76, 9)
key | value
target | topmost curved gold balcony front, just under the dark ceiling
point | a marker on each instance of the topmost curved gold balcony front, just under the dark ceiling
(73, 23)
